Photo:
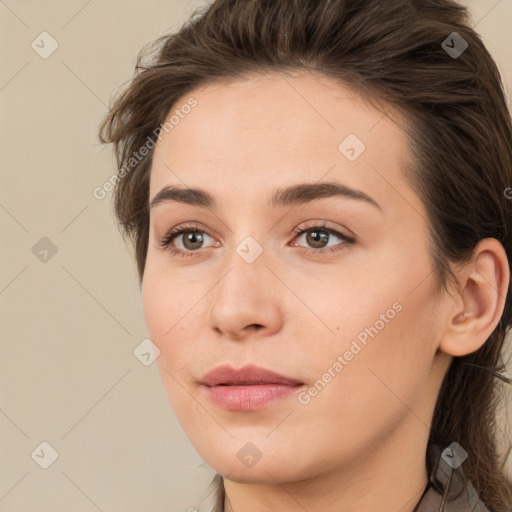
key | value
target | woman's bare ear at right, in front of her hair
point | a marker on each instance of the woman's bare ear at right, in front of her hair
(477, 306)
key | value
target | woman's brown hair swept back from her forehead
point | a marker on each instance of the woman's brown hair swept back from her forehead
(460, 132)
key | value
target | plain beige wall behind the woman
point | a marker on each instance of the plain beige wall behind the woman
(68, 375)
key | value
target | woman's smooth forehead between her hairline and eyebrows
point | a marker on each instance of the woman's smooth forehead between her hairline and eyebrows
(267, 131)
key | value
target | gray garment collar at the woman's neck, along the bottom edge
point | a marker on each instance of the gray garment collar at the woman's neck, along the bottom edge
(447, 489)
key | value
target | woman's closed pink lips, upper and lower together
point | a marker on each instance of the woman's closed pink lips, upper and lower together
(248, 389)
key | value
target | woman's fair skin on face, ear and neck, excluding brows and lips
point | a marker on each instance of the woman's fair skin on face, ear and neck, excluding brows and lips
(359, 444)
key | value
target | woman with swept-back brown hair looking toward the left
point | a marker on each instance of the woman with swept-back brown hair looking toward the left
(316, 191)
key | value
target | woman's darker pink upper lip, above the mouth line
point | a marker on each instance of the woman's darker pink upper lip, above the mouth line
(249, 374)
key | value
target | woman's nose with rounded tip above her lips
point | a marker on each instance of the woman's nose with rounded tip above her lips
(245, 303)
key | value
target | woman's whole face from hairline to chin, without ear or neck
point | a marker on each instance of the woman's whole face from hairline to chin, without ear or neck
(347, 309)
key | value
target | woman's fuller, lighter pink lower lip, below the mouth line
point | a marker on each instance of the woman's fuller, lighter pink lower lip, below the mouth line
(249, 397)
